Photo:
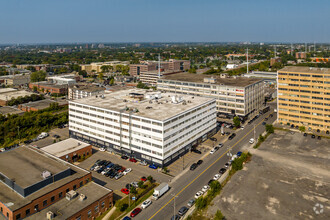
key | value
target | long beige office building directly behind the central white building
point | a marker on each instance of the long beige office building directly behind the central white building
(234, 96)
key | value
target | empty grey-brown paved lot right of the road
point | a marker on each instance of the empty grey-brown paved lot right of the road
(288, 178)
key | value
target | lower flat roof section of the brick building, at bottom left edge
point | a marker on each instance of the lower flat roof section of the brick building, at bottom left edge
(64, 208)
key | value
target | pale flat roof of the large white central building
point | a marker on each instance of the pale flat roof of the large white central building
(120, 100)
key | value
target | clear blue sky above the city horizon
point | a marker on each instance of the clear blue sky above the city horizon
(54, 21)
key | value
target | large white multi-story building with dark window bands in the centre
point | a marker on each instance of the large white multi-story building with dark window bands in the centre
(155, 127)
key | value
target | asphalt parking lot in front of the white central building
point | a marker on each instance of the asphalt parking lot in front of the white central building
(134, 176)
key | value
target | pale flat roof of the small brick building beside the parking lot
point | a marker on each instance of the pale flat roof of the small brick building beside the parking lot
(65, 147)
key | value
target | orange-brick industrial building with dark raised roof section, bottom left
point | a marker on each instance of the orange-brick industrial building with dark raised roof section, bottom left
(37, 185)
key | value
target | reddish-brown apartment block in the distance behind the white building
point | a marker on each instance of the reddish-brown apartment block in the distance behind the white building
(166, 66)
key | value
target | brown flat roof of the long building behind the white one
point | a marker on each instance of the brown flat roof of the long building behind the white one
(199, 78)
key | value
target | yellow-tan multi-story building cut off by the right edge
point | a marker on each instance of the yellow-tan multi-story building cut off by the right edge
(304, 97)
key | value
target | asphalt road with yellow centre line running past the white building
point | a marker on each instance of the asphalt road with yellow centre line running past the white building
(184, 188)
